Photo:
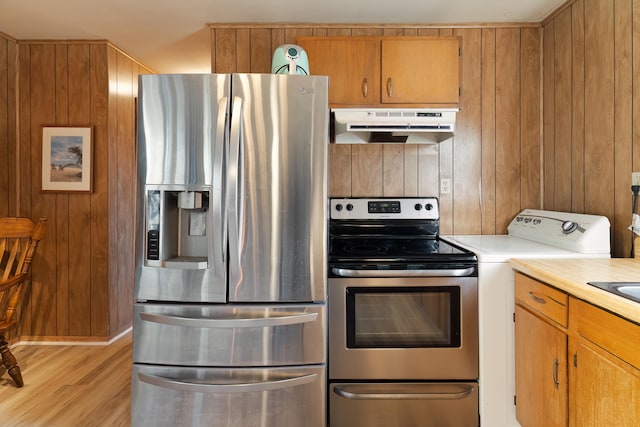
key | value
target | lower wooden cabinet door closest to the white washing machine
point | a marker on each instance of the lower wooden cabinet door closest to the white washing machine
(541, 373)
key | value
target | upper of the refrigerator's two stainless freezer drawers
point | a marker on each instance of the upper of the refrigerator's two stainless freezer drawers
(229, 335)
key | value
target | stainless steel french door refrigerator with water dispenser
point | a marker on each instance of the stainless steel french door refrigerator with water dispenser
(230, 286)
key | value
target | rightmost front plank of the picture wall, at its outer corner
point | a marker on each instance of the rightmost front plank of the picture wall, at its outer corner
(101, 223)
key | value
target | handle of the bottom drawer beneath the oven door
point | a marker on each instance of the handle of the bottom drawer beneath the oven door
(402, 392)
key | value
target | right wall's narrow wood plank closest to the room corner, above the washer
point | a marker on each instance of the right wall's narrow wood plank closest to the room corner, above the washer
(548, 126)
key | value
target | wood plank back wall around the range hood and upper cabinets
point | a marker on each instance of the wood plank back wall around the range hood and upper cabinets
(494, 159)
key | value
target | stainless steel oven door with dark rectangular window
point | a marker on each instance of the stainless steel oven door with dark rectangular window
(403, 328)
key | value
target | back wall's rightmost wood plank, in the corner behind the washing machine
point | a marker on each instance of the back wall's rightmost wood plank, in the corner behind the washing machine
(531, 98)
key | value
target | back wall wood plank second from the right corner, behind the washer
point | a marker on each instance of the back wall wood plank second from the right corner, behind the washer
(508, 166)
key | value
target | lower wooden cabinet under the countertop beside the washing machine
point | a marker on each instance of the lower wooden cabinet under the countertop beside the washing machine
(584, 372)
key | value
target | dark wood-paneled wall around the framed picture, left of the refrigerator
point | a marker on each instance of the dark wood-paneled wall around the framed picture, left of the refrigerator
(82, 276)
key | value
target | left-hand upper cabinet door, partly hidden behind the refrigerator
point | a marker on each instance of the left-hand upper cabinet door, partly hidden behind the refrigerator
(353, 67)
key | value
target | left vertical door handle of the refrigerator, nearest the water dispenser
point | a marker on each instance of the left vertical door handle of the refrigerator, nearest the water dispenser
(219, 215)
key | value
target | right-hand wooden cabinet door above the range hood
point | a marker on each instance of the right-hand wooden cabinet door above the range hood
(423, 71)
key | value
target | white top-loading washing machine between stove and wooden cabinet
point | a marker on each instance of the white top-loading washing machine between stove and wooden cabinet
(531, 234)
